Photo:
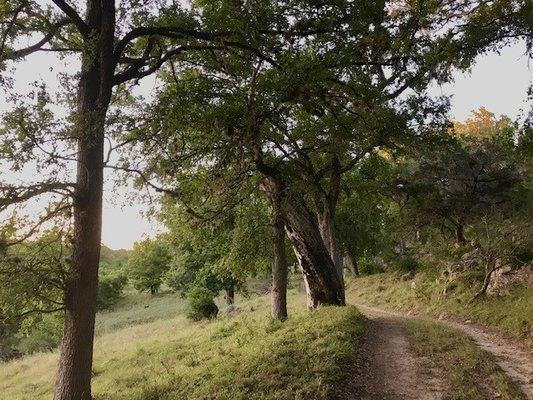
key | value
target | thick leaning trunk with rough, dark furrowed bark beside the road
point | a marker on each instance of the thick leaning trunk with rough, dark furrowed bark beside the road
(320, 274)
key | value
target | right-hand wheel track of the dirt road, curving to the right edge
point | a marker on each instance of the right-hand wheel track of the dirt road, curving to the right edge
(514, 359)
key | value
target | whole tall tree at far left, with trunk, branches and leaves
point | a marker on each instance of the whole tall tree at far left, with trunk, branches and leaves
(114, 45)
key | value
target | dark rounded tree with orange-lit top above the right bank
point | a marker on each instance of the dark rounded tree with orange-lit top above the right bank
(458, 180)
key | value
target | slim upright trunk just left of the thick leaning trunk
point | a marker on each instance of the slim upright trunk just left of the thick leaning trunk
(279, 268)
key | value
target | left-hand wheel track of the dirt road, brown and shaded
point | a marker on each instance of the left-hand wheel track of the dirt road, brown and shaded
(387, 368)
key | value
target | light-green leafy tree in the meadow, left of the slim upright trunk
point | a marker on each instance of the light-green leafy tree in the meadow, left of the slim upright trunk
(219, 253)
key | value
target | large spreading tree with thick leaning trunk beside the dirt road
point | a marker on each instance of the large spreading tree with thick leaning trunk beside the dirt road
(350, 78)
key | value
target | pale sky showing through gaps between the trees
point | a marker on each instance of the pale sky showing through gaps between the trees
(496, 82)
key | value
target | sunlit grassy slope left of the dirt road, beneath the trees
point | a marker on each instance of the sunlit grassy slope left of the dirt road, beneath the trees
(248, 356)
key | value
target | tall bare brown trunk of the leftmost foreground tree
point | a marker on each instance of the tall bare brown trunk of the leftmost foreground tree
(75, 362)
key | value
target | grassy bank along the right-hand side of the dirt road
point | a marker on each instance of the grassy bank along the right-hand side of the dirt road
(511, 314)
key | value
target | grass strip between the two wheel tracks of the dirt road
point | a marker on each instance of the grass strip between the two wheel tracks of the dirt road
(470, 372)
